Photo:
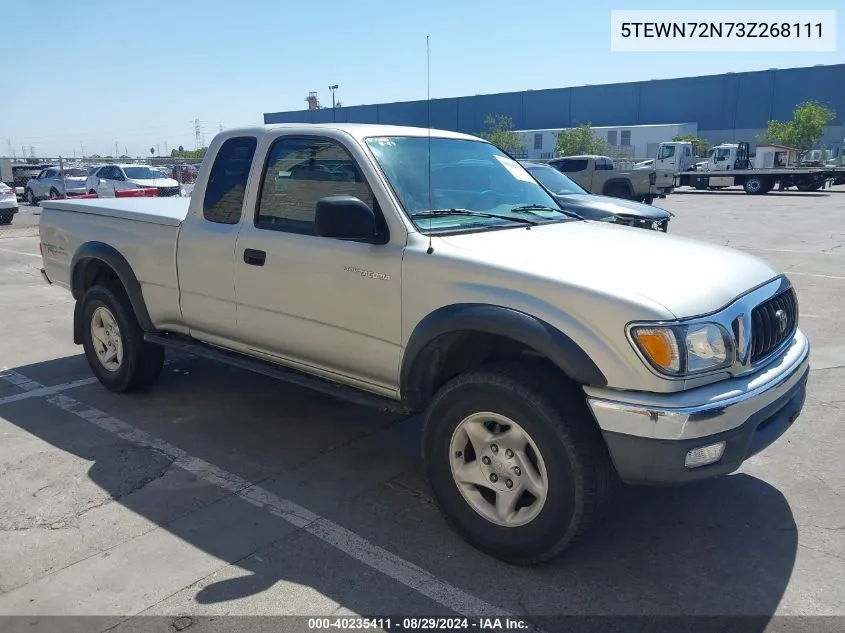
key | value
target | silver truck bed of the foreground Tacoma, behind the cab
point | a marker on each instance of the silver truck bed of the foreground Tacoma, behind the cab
(144, 231)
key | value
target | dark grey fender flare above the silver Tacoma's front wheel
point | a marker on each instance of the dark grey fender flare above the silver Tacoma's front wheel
(422, 351)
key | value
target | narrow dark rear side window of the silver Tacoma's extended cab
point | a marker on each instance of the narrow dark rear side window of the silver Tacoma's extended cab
(224, 193)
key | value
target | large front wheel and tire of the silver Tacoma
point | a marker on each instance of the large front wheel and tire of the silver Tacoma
(519, 472)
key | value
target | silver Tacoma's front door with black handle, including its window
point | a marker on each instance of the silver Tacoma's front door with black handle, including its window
(324, 303)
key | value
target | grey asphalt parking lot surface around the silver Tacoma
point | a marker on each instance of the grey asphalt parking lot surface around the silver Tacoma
(221, 492)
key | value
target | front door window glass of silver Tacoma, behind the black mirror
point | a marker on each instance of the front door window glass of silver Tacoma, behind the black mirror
(299, 172)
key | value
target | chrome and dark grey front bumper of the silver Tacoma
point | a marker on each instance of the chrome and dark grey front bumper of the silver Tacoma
(649, 435)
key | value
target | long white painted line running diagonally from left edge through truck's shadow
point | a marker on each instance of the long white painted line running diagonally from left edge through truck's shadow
(348, 542)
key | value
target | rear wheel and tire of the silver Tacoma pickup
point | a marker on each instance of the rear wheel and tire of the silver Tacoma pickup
(114, 342)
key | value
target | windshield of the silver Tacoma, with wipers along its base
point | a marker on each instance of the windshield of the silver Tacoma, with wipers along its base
(465, 174)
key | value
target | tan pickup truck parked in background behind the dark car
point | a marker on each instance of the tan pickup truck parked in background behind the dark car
(599, 175)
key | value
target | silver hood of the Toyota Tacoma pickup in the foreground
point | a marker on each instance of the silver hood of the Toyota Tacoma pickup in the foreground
(688, 277)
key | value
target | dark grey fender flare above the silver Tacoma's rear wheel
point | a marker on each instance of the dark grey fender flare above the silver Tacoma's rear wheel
(112, 258)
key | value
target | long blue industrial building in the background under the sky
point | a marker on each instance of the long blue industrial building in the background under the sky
(726, 108)
